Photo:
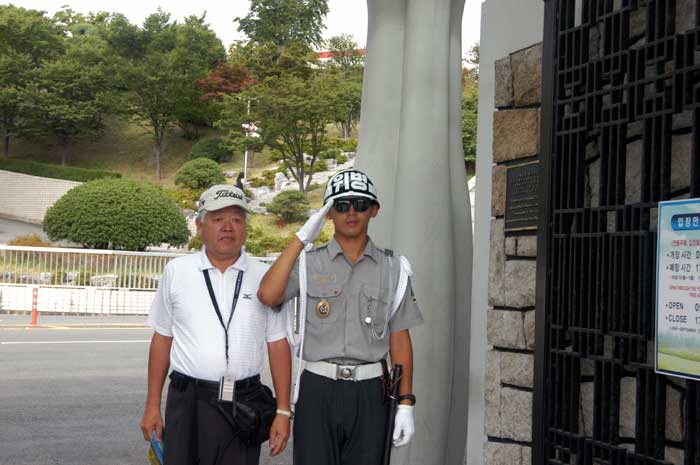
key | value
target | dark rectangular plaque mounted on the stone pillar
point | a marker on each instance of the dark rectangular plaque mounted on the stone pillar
(521, 197)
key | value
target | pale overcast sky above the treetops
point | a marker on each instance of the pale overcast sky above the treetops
(344, 16)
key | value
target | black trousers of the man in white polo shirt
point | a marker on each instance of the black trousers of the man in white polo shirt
(197, 433)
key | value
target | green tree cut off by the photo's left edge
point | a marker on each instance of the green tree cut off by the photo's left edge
(27, 39)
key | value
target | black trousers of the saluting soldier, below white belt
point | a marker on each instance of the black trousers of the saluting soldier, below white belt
(339, 422)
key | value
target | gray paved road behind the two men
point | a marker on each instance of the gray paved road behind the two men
(73, 396)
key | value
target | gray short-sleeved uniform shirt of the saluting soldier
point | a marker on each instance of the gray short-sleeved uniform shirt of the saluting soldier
(356, 329)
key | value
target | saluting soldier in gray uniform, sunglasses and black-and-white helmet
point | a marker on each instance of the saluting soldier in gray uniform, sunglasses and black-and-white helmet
(359, 306)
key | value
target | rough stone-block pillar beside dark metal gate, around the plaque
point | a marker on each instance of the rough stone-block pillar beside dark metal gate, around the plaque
(511, 296)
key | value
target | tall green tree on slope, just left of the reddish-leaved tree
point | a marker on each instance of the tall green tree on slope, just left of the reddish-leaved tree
(160, 84)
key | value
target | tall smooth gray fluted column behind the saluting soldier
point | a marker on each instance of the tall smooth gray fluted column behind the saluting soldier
(410, 145)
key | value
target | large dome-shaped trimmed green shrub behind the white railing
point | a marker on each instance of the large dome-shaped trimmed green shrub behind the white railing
(116, 214)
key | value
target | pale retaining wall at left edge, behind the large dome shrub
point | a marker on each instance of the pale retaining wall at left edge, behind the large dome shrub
(26, 198)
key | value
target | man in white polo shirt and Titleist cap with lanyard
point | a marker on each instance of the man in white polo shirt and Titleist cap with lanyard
(211, 329)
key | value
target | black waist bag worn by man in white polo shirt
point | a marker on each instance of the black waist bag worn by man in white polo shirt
(254, 413)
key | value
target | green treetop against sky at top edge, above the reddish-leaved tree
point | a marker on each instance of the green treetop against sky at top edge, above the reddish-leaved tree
(283, 22)
